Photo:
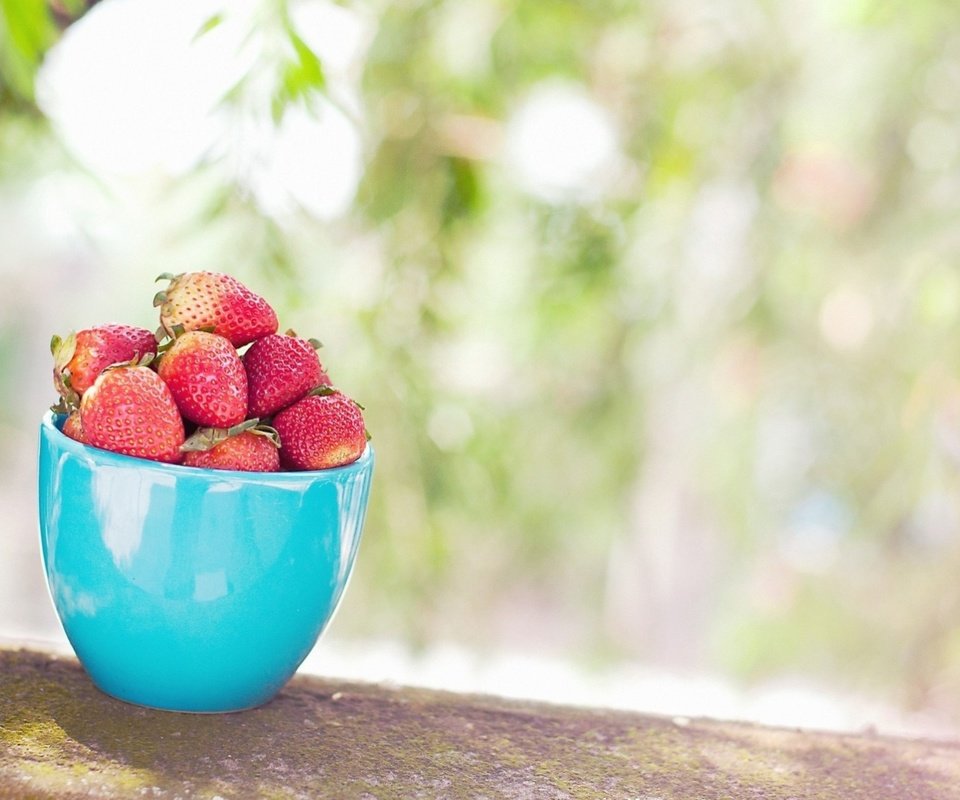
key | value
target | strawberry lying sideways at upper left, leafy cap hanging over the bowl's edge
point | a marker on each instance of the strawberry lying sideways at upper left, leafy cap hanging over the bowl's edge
(82, 356)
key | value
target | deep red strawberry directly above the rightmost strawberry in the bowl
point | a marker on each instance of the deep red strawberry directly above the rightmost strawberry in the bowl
(280, 370)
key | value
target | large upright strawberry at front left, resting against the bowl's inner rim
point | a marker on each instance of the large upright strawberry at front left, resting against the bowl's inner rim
(130, 410)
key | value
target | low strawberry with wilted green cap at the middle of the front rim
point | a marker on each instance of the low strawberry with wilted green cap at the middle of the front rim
(251, 449)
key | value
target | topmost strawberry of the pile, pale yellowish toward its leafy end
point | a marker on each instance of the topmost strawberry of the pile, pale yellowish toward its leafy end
(216, 301)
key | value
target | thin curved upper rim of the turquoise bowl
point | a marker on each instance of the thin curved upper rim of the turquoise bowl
(98, 455)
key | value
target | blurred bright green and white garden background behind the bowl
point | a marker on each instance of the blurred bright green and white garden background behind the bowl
(653, 308)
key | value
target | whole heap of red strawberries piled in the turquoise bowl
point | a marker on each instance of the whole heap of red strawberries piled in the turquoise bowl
(186, 395)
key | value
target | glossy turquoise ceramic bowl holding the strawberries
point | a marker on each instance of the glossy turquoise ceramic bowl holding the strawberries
(192, 589)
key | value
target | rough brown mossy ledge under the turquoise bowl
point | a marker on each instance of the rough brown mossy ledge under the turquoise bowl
(61, 738)
